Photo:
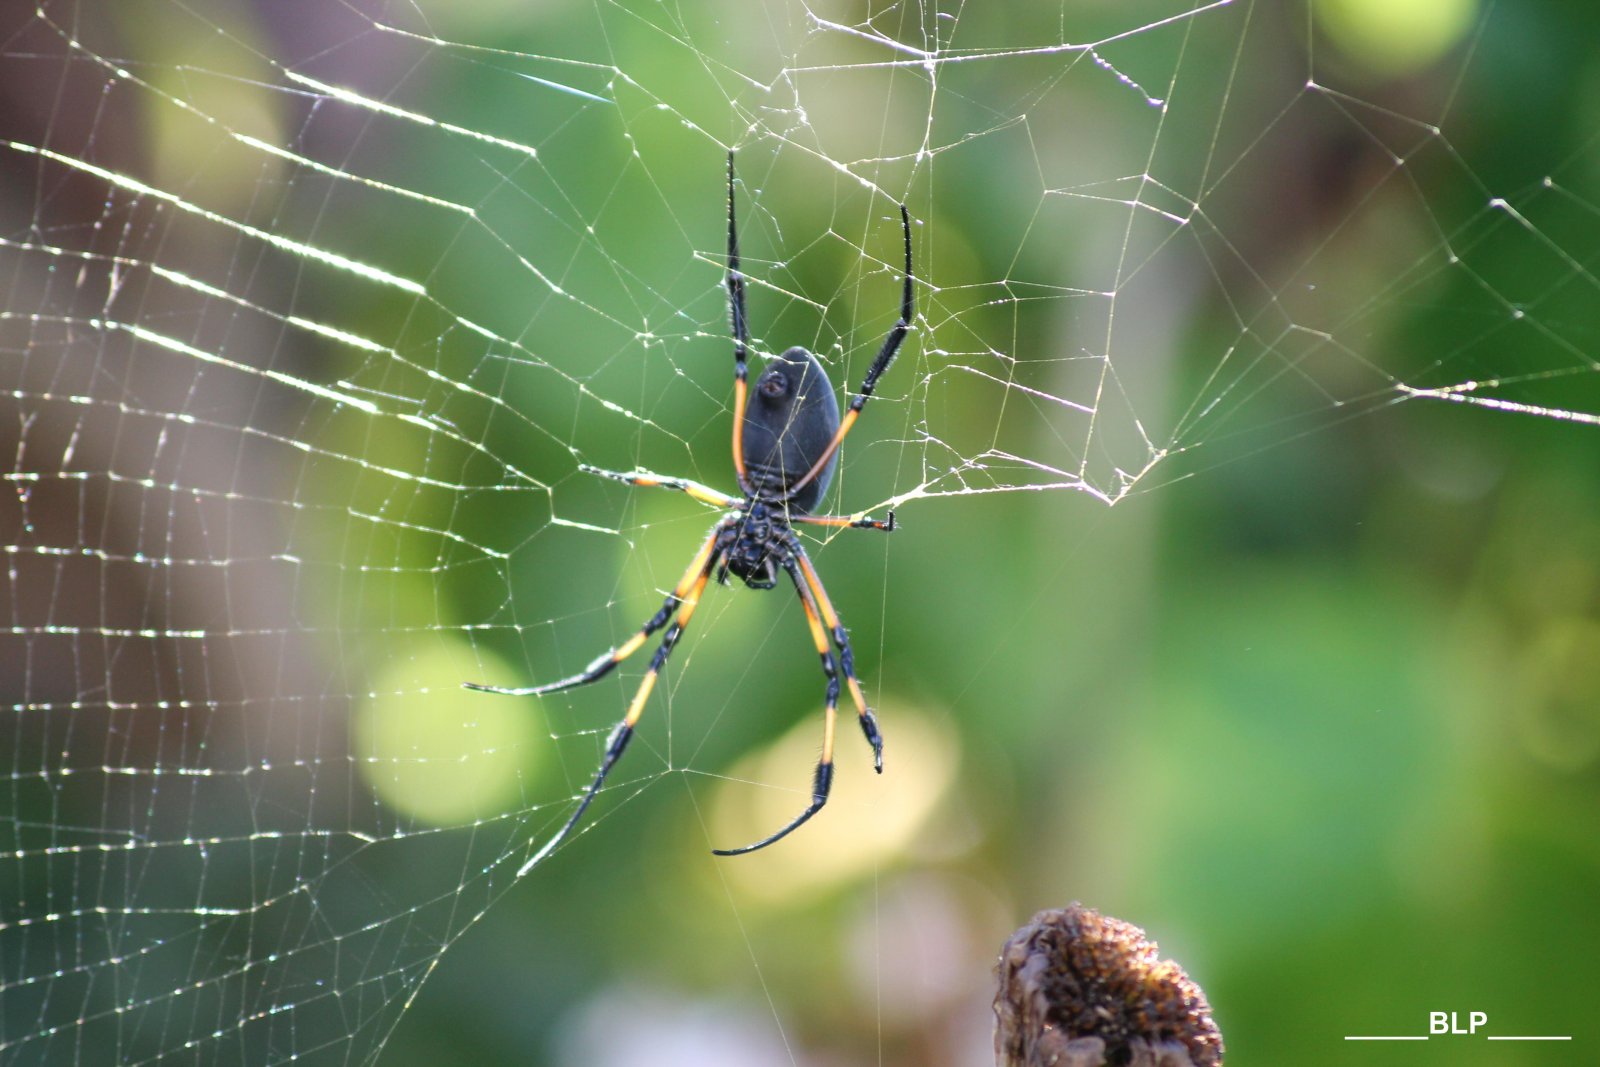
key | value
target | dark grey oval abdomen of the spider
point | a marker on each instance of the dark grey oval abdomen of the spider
(790, 423)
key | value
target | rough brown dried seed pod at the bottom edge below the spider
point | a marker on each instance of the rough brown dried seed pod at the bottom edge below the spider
(1084, 991)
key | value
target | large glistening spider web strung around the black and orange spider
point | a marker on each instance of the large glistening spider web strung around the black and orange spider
(313, 311)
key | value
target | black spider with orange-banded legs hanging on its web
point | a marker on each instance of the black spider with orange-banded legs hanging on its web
(785, 449)
